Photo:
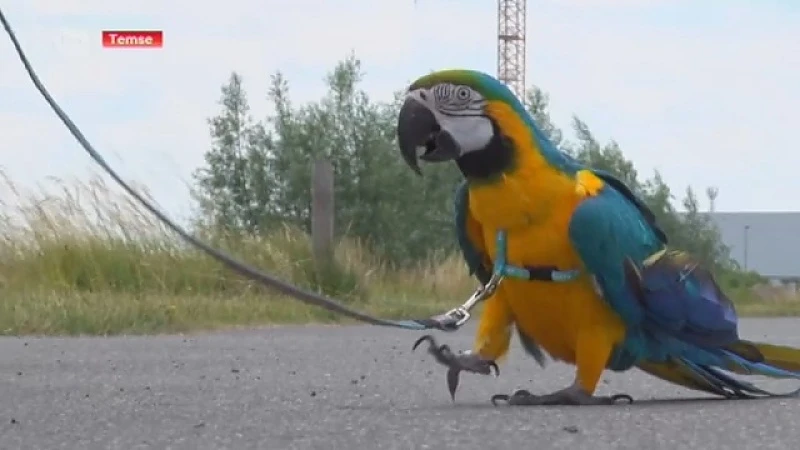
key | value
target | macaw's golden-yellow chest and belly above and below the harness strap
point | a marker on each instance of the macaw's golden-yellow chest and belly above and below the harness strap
(553, 313)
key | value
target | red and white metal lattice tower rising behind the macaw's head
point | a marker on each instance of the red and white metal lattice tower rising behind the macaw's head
(511, 18)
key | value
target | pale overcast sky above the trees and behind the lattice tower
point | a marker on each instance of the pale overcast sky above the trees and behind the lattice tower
(706, 92)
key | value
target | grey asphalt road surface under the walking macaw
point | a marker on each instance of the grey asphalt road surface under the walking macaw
(344, 388)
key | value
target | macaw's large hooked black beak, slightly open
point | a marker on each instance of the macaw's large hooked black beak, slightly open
(420, 136)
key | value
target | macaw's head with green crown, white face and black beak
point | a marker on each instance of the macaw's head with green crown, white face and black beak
(448, 116)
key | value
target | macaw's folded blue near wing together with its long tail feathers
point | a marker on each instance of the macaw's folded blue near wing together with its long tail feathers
(681, 326)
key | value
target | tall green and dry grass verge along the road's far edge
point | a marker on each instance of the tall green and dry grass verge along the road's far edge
(81, 258)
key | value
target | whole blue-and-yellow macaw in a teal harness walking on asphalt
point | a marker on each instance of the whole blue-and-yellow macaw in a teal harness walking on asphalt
(589, 277)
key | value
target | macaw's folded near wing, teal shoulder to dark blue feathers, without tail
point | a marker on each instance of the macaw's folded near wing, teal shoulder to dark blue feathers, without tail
(672, 300)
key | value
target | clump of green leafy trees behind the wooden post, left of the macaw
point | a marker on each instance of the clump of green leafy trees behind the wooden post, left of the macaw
(357, 136)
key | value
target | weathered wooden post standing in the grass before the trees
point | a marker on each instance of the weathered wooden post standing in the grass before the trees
(322, 212)
